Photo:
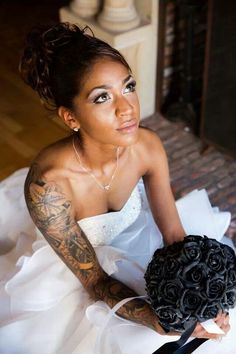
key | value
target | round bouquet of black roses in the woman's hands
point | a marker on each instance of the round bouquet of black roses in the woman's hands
(191, 281)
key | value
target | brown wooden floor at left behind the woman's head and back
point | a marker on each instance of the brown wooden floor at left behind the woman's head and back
(25, 125)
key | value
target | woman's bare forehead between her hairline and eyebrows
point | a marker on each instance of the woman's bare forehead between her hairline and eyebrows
(105, 72)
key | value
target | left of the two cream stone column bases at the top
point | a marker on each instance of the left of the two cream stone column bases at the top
(85, 8)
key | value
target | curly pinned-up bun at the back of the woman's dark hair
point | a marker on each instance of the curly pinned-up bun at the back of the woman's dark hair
(42, 46)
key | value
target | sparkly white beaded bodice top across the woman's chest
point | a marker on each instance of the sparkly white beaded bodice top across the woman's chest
(102, 229)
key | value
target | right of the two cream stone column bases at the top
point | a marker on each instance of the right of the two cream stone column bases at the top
(118, 15)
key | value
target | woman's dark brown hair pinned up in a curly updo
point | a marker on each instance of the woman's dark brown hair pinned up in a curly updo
(56, 59)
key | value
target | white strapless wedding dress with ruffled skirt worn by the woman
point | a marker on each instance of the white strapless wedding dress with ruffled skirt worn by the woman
(43, 306)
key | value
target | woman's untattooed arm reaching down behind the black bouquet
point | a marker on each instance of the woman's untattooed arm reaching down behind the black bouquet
(157, 185)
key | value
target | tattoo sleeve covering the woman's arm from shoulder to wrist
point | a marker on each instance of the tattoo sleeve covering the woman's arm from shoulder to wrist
(52, 213)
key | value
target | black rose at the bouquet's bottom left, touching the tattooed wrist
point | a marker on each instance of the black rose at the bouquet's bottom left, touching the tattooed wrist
(168, 316)
